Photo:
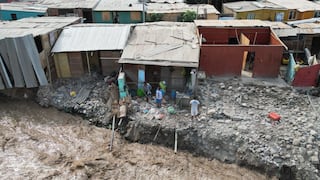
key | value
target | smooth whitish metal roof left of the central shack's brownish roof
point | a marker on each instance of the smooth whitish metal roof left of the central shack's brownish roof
(92, 38)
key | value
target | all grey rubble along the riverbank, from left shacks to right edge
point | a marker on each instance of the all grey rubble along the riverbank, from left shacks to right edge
(233, 125)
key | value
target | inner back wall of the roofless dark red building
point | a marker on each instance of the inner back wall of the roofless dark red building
(221, 35)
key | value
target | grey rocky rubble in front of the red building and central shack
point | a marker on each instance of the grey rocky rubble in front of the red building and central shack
(234, 127)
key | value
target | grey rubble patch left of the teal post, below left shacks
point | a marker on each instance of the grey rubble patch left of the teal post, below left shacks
(89, 96)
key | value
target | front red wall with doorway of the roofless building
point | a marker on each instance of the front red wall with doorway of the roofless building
(226, 60)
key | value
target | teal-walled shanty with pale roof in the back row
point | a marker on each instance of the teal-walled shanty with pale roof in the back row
(113, 11)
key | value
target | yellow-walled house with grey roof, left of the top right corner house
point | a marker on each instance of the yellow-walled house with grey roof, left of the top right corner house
(262, 10)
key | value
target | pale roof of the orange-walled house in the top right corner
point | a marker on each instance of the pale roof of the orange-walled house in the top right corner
(300, 5)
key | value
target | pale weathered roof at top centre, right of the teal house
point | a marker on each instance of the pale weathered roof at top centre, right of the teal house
(180, 7)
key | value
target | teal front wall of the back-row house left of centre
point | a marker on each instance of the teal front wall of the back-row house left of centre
(124, 17)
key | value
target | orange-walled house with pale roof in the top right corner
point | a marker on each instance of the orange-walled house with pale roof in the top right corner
(298, 9)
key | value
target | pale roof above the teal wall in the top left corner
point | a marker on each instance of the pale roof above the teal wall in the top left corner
(21, 6)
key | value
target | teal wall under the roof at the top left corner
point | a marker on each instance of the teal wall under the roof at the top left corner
(5, 15)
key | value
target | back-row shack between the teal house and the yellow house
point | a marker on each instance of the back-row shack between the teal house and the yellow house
(173, 11)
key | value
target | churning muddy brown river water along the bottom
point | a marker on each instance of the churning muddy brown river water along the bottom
(44, 143)
